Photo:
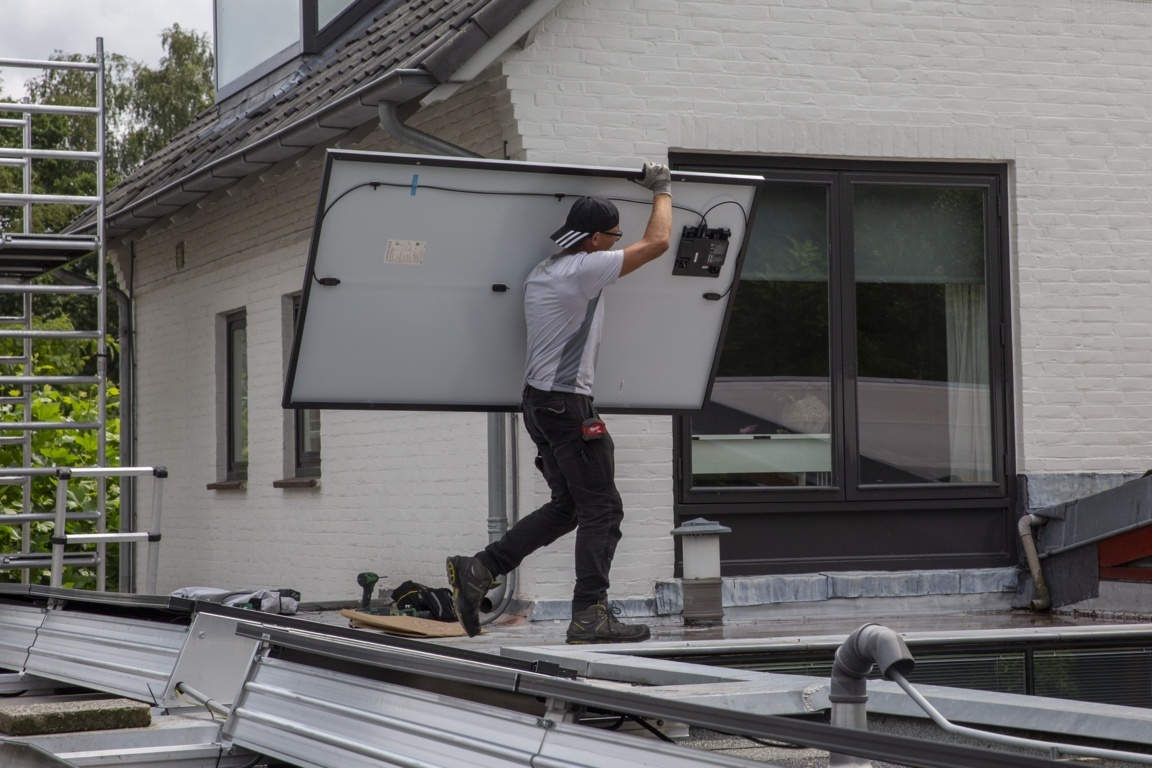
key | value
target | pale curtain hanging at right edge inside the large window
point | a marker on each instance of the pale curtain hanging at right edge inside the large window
(969, 407)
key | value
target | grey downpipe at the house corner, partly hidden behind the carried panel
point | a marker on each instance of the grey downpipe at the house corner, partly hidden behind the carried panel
(498, 423)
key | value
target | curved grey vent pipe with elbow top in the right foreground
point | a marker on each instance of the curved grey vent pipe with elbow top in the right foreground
(869, 645)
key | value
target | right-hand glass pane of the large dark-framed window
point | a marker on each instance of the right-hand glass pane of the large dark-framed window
(923, 387)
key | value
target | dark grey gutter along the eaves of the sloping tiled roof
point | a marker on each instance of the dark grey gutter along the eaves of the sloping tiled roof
(352, 110)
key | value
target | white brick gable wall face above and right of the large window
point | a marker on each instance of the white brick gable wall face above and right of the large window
(1058, 89)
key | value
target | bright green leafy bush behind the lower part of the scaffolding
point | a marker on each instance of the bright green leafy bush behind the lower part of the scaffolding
(62, 448)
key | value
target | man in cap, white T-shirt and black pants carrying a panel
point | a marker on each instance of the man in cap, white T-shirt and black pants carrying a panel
(575, 452)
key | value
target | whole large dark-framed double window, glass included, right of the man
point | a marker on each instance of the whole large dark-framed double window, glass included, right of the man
(863, 358)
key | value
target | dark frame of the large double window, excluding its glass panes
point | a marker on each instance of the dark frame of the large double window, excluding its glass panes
(839, 178)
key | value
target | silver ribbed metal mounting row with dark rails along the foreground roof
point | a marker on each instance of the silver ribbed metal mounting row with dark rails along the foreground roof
(315, 695)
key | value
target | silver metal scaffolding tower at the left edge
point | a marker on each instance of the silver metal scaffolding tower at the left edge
(24, 257)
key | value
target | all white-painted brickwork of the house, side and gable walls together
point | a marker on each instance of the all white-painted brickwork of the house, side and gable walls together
(1057, 89)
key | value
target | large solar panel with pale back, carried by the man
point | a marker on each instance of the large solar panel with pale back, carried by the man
(414, 290)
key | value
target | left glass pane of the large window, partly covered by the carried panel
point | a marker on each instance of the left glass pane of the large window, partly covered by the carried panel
(768, 423)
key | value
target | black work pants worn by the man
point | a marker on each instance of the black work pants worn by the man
(581, 477)
